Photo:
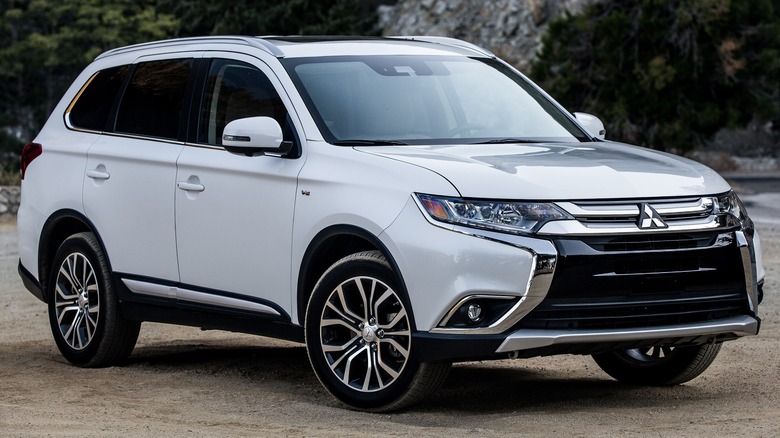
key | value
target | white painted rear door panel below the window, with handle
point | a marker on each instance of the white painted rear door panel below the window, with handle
(133, 208)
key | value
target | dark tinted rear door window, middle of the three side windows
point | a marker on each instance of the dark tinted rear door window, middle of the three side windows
(154, 99)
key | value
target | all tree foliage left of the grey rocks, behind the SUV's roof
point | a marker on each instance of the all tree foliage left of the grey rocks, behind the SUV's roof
(44, 44)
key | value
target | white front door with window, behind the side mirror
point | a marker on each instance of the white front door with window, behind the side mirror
(234, 213)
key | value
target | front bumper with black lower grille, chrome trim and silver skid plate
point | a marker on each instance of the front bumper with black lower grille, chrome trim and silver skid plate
(603, 291)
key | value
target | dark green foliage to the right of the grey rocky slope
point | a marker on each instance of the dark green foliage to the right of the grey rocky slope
(666, 73)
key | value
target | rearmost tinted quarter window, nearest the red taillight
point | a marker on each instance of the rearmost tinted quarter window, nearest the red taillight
(93, 106)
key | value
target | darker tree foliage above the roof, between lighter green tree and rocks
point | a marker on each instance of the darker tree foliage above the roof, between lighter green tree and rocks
(273, 17)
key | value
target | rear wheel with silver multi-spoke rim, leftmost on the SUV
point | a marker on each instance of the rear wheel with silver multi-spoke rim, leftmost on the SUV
(83, 306)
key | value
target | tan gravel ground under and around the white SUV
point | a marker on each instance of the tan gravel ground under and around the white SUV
(183, 381)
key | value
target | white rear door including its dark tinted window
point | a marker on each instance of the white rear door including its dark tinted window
(130, 175)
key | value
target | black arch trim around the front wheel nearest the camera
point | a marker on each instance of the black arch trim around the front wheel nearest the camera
(344, 230)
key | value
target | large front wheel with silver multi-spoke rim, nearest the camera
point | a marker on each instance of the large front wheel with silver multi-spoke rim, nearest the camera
(359, 337)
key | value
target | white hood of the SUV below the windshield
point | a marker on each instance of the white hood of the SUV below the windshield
(560, 171)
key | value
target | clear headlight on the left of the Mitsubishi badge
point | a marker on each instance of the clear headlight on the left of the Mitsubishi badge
(506, 217)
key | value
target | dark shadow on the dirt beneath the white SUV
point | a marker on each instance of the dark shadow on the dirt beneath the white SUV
(470, 388)
